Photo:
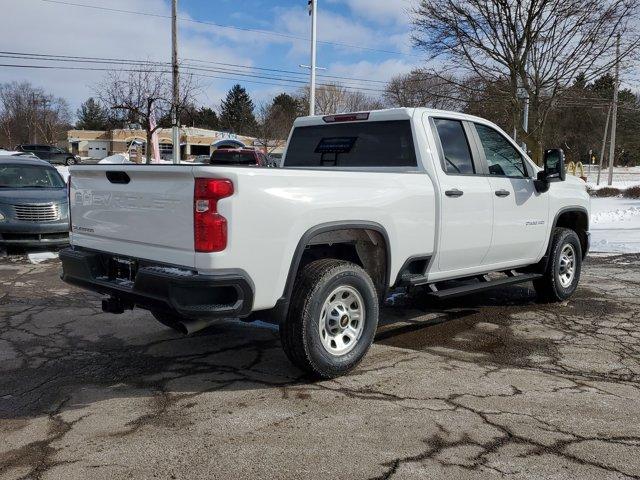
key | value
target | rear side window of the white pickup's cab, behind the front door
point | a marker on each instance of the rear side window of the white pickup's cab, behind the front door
(457, 159)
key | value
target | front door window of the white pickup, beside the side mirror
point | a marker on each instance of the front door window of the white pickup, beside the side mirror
(503, 158)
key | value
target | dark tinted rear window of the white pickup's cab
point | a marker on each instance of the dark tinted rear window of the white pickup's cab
(353, 145)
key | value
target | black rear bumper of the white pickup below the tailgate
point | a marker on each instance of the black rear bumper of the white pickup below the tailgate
(226, 294)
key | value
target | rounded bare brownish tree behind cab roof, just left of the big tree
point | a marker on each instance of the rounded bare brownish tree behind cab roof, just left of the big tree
(422, 89)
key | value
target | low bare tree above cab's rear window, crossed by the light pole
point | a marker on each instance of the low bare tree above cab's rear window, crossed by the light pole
(334, 98)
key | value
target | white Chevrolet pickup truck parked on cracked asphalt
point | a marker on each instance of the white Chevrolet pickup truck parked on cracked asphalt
(364, 203)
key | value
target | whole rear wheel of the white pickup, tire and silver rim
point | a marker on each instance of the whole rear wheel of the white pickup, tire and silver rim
(332, 319)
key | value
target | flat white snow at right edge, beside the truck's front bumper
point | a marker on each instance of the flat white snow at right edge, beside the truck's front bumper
(615, 225)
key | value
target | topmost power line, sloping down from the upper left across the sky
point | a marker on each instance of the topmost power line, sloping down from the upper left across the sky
(231, 27)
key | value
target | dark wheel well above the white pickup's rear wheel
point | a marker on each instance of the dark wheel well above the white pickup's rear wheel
(362, 246)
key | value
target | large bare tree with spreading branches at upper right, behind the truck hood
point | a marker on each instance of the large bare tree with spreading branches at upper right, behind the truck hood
(539, 46)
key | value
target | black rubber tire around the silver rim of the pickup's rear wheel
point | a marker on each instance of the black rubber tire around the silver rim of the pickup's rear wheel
(300, 332)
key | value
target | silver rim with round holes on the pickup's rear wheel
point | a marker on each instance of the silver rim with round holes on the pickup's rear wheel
(342, 320)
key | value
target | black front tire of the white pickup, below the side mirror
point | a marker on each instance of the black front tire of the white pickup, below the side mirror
(550, 288)
